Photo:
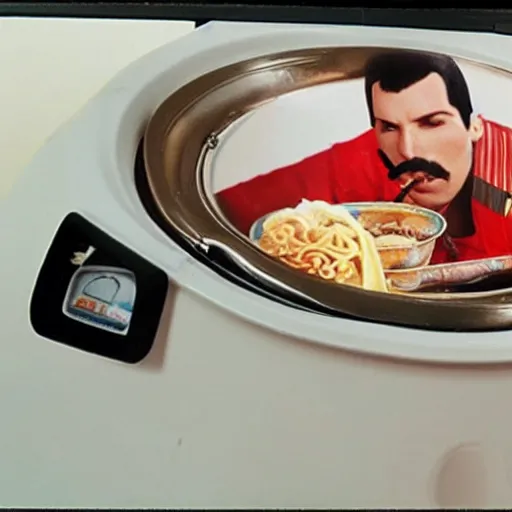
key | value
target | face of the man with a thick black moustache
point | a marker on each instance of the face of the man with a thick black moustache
(419, 122)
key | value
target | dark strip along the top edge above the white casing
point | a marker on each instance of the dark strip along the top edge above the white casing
(399, 14)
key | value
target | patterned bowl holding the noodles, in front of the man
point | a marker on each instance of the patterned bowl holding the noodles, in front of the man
(379, 217)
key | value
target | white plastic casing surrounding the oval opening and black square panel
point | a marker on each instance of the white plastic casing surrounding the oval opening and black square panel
(226, 413)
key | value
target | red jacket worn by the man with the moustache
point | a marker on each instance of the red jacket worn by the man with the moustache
(352, 171)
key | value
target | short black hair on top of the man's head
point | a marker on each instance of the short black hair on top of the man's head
(398, 69)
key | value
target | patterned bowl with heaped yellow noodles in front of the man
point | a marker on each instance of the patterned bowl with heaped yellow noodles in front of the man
(353, 243)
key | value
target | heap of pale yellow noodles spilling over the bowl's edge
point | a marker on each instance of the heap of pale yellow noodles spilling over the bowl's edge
(326, 242)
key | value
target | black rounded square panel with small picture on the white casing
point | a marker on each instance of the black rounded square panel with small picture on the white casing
(95, 294)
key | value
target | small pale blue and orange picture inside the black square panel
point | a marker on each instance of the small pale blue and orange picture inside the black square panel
(100, 296)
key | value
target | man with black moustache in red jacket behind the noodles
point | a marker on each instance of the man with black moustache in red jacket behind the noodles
(425, 146)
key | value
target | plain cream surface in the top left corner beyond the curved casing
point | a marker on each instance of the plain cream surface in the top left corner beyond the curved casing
(52, 67)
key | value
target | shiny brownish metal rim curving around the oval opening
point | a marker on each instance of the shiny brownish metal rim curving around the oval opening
(186, 126)
